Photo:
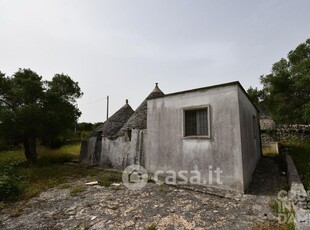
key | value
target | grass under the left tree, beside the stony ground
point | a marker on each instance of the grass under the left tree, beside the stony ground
(19, 180)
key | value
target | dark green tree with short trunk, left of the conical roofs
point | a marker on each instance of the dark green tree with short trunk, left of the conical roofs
(31, 108)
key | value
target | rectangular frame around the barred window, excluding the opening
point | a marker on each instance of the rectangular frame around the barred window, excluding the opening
(196, 108)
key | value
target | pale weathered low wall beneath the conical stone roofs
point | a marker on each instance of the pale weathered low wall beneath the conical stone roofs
(119, 153)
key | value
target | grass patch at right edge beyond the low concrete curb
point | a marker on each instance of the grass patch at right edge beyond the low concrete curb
(300, 152)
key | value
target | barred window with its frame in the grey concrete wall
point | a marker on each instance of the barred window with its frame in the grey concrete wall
(196, 122)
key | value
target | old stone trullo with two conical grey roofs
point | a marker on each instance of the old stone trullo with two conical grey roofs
(119, 141)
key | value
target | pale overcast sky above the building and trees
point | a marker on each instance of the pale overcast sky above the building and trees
(121, 48)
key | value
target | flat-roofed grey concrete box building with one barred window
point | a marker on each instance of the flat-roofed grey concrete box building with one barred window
(205, 129)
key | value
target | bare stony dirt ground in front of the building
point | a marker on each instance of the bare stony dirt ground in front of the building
(160, 206)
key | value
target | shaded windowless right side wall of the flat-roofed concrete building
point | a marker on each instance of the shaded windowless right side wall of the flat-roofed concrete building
(250, 137)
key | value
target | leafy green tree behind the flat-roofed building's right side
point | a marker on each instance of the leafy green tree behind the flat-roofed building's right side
(286, 90)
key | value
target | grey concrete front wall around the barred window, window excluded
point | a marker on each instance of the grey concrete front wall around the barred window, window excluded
(167, 149)
